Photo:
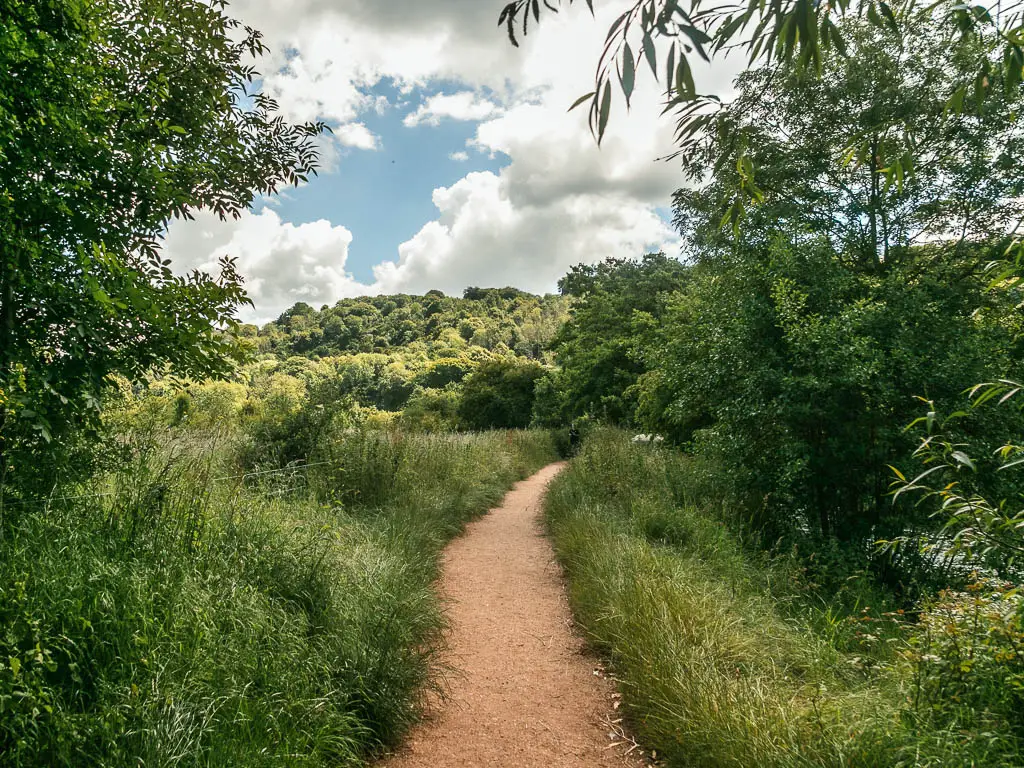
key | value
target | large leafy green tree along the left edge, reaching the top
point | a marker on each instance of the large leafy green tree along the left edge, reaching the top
(117, 116)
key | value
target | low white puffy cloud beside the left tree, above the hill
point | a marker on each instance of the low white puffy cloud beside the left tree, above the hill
(283, 264)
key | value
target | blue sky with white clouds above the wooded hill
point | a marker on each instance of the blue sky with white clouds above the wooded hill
(453, 161)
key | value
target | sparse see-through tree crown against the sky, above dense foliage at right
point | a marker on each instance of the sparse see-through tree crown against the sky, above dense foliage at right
(967, 188)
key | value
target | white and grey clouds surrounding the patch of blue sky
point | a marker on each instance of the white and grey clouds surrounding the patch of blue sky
(561, 201)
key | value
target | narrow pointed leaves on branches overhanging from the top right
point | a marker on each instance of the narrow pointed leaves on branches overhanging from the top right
(787, 31)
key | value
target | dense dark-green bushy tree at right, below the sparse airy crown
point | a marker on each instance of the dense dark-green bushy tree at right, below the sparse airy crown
(796, 374)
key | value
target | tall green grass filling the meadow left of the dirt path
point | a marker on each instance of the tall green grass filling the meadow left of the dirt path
(176, 614)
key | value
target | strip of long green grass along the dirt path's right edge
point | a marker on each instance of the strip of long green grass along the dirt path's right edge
(722, 656)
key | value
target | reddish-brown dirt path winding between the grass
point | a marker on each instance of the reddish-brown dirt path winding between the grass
(524, 695)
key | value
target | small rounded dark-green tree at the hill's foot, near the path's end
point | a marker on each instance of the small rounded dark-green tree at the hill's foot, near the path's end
(500, 396)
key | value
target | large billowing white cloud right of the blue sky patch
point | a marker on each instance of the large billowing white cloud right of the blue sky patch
(562, 200)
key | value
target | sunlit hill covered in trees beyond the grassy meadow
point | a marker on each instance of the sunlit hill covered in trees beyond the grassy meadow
(423, 363)
